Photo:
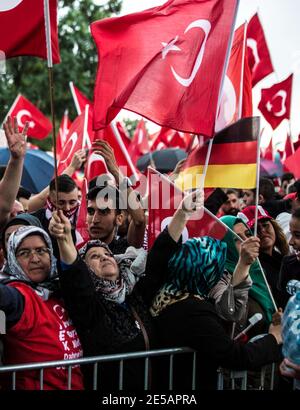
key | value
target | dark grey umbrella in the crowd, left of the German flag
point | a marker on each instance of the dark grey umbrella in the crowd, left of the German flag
(165, 160)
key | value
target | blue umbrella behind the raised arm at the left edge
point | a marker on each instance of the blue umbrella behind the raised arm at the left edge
(38, 169)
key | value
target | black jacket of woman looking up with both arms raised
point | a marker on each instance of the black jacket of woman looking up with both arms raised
(105, 327)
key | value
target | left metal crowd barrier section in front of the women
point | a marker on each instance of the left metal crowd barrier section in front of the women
(96, 360)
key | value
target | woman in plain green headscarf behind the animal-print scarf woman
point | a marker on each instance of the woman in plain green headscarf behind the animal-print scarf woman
(259, 298)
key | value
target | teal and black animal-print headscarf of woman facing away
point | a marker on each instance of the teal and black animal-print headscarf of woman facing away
(194, 269)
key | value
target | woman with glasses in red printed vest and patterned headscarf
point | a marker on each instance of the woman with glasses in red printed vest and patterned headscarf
(38, 326)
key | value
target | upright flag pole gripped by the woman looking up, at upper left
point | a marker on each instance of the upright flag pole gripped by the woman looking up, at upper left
(51, 86)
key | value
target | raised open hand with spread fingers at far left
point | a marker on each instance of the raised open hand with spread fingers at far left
(16, 140)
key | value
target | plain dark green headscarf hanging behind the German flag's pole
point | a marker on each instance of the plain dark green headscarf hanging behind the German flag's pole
(258, 290)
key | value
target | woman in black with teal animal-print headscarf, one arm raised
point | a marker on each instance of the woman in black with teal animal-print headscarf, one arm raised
(186, 317)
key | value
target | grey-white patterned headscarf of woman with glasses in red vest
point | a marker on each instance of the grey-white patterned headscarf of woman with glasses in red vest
(45, 288)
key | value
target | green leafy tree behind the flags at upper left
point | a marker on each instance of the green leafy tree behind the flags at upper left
(29, 75)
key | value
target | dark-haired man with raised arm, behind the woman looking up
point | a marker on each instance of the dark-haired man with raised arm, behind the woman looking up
(106, 203)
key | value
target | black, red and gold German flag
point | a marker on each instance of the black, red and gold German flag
(232, 162)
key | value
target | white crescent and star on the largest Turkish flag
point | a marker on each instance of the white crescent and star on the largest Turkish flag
(202, 24)
